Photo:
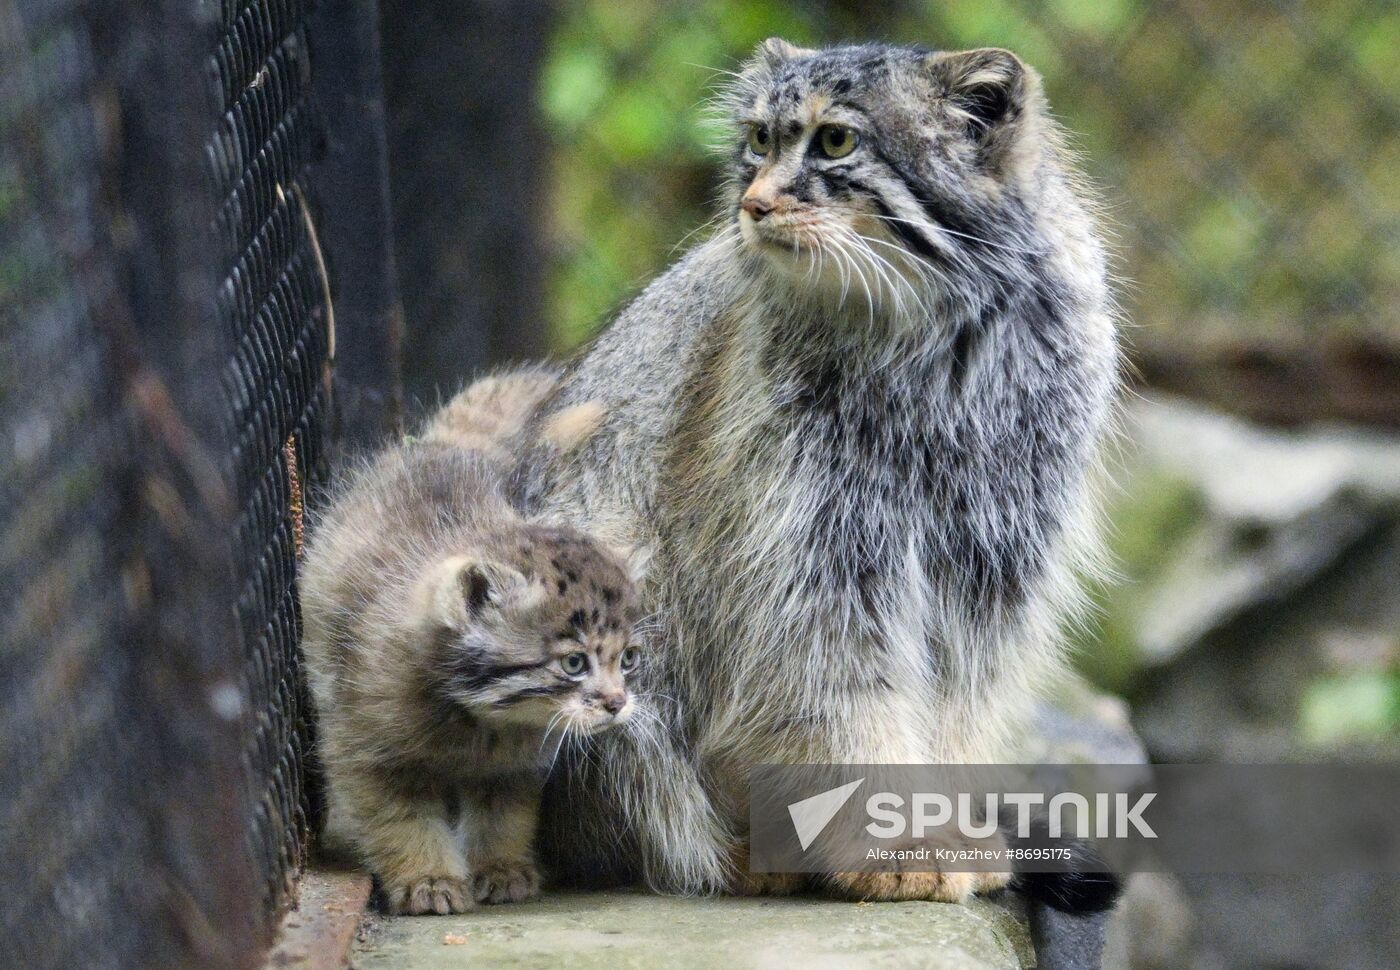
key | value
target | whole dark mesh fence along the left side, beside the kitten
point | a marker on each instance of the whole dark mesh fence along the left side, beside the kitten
(166, 402)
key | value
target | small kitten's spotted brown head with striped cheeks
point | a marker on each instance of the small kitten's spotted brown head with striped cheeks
(535, 629)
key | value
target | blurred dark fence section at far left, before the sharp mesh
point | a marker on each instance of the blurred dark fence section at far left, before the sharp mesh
(121, 710)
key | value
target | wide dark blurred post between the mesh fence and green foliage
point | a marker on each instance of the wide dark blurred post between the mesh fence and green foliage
(470, 183)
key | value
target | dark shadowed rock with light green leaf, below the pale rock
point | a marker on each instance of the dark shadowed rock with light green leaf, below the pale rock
(1296, 681)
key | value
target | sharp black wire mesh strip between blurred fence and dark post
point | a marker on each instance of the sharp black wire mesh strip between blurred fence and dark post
(272, 303)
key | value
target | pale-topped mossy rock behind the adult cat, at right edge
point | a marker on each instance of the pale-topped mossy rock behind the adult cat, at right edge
(1216, 519)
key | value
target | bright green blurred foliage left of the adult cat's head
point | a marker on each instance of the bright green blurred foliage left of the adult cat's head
(633, 170)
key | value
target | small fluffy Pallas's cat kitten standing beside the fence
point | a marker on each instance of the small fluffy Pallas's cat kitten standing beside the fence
(453, 647)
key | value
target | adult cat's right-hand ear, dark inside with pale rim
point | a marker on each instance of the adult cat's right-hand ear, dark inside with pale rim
(992, 89)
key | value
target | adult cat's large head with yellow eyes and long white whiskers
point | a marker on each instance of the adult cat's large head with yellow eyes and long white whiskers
(885, 171)
